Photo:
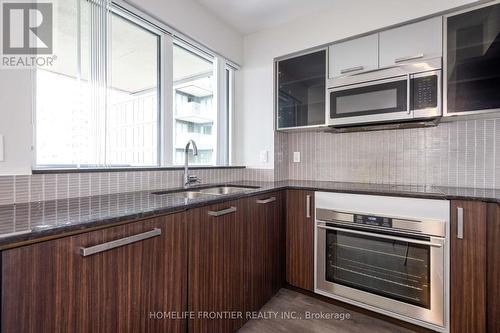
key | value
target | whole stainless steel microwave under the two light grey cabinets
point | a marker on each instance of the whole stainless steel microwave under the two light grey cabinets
(395, 94)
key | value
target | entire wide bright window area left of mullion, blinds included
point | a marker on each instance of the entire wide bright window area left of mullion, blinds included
(98, 106)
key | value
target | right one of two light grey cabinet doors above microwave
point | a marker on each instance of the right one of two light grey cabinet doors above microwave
(421, 40)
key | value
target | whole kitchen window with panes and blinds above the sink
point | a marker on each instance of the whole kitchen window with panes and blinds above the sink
(105, 102)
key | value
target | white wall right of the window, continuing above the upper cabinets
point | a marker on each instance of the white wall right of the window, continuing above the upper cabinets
(349, 18)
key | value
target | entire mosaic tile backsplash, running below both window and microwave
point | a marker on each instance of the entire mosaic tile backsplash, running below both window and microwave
(455, 154)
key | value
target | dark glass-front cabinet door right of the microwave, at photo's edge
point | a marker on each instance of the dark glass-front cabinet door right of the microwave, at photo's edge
(473, 61)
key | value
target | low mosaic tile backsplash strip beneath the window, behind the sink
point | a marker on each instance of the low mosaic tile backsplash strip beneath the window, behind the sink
(36, 188)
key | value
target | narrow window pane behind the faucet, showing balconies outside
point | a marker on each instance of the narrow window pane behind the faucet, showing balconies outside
(195, 114)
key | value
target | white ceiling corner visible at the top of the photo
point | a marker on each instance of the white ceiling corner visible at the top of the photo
(248, 16)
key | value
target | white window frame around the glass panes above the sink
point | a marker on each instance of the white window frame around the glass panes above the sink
(167, 38)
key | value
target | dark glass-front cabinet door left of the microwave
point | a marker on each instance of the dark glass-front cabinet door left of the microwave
(301, 93)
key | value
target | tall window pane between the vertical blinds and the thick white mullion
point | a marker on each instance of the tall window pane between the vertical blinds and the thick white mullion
(132, 120)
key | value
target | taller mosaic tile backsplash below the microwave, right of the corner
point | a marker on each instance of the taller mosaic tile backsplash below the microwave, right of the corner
(458, 154)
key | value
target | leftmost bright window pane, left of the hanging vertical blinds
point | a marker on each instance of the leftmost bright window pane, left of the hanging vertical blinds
(59, 101)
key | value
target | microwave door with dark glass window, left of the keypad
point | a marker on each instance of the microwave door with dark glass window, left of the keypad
(374, 98)
